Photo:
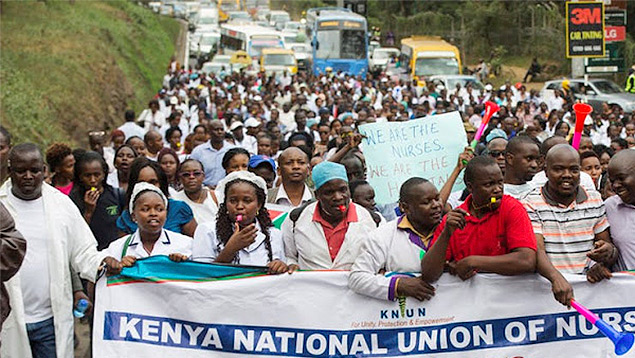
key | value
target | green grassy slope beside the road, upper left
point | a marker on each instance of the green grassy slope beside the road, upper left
(68, 68)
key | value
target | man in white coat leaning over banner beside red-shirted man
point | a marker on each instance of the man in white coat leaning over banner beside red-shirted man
(398, 246)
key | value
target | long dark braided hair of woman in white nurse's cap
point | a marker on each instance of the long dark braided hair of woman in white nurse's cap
(225, 225)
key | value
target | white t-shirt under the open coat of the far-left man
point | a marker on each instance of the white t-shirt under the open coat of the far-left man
(34, 273)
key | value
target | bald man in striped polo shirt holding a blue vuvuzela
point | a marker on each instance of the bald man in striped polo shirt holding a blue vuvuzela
(570, 225)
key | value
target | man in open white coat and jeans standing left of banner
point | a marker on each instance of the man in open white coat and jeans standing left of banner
(41, 322)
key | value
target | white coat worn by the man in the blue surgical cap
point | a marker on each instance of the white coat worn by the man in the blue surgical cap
(305, 244)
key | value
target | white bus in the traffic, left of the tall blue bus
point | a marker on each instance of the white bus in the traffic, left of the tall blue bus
(249, 38)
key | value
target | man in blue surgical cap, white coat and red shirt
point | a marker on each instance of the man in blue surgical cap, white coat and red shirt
(326, 234)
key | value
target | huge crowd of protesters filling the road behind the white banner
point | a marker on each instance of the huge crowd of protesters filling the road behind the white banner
(191, 176)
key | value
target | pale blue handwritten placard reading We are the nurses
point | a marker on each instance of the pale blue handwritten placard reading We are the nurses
(426, 147)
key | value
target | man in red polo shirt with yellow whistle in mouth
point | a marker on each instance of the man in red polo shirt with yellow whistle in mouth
(489, 232)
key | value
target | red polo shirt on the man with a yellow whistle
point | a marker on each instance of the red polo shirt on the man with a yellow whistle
(497, 233)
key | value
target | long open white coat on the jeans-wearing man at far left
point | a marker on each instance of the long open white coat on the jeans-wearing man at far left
(70, 241)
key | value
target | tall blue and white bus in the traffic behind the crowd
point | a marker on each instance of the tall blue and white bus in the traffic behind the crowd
(339, 40)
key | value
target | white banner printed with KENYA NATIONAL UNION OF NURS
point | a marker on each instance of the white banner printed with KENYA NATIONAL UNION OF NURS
(314, 314)
